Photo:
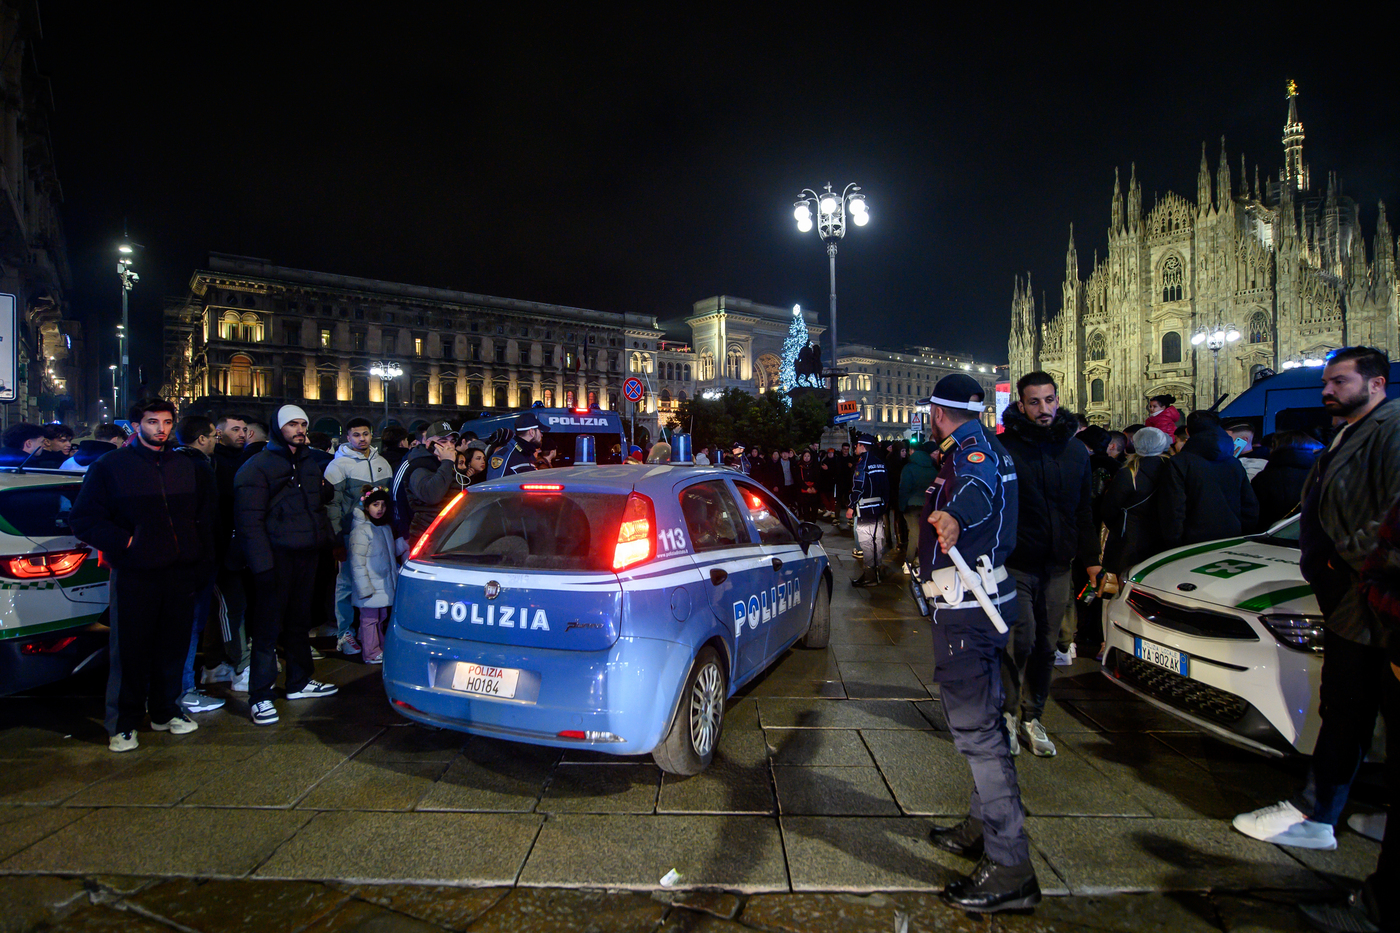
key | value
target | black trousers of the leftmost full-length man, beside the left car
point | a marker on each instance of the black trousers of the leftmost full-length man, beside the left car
(150, 617)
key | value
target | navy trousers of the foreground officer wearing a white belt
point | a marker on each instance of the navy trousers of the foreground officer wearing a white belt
(972, 707)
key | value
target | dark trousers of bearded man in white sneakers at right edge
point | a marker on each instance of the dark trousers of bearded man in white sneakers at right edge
(1354, 680)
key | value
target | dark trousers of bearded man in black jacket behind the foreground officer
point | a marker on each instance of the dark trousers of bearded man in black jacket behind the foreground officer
(1042, 600)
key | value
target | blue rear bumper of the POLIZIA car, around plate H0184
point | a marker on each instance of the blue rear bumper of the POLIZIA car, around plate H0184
(626, 691)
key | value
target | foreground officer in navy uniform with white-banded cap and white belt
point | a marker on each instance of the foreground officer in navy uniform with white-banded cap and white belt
(972, 506)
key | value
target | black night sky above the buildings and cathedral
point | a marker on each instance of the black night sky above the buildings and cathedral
(640, 165)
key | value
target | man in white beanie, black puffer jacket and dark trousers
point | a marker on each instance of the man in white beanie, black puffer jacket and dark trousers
(281, 518)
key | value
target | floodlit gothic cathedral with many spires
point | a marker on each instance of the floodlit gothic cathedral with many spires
(1283, 263)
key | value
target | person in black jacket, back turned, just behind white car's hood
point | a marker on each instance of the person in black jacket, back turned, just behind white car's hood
(1207, 492)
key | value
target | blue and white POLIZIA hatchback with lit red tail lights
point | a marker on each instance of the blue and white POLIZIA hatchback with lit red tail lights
(611, 607)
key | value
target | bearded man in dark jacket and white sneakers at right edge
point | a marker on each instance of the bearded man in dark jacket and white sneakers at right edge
(1352, 488)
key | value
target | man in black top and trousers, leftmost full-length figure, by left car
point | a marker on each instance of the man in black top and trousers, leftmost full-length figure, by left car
(152, 515)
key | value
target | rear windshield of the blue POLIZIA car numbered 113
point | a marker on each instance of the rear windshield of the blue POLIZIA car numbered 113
(530, 530)
